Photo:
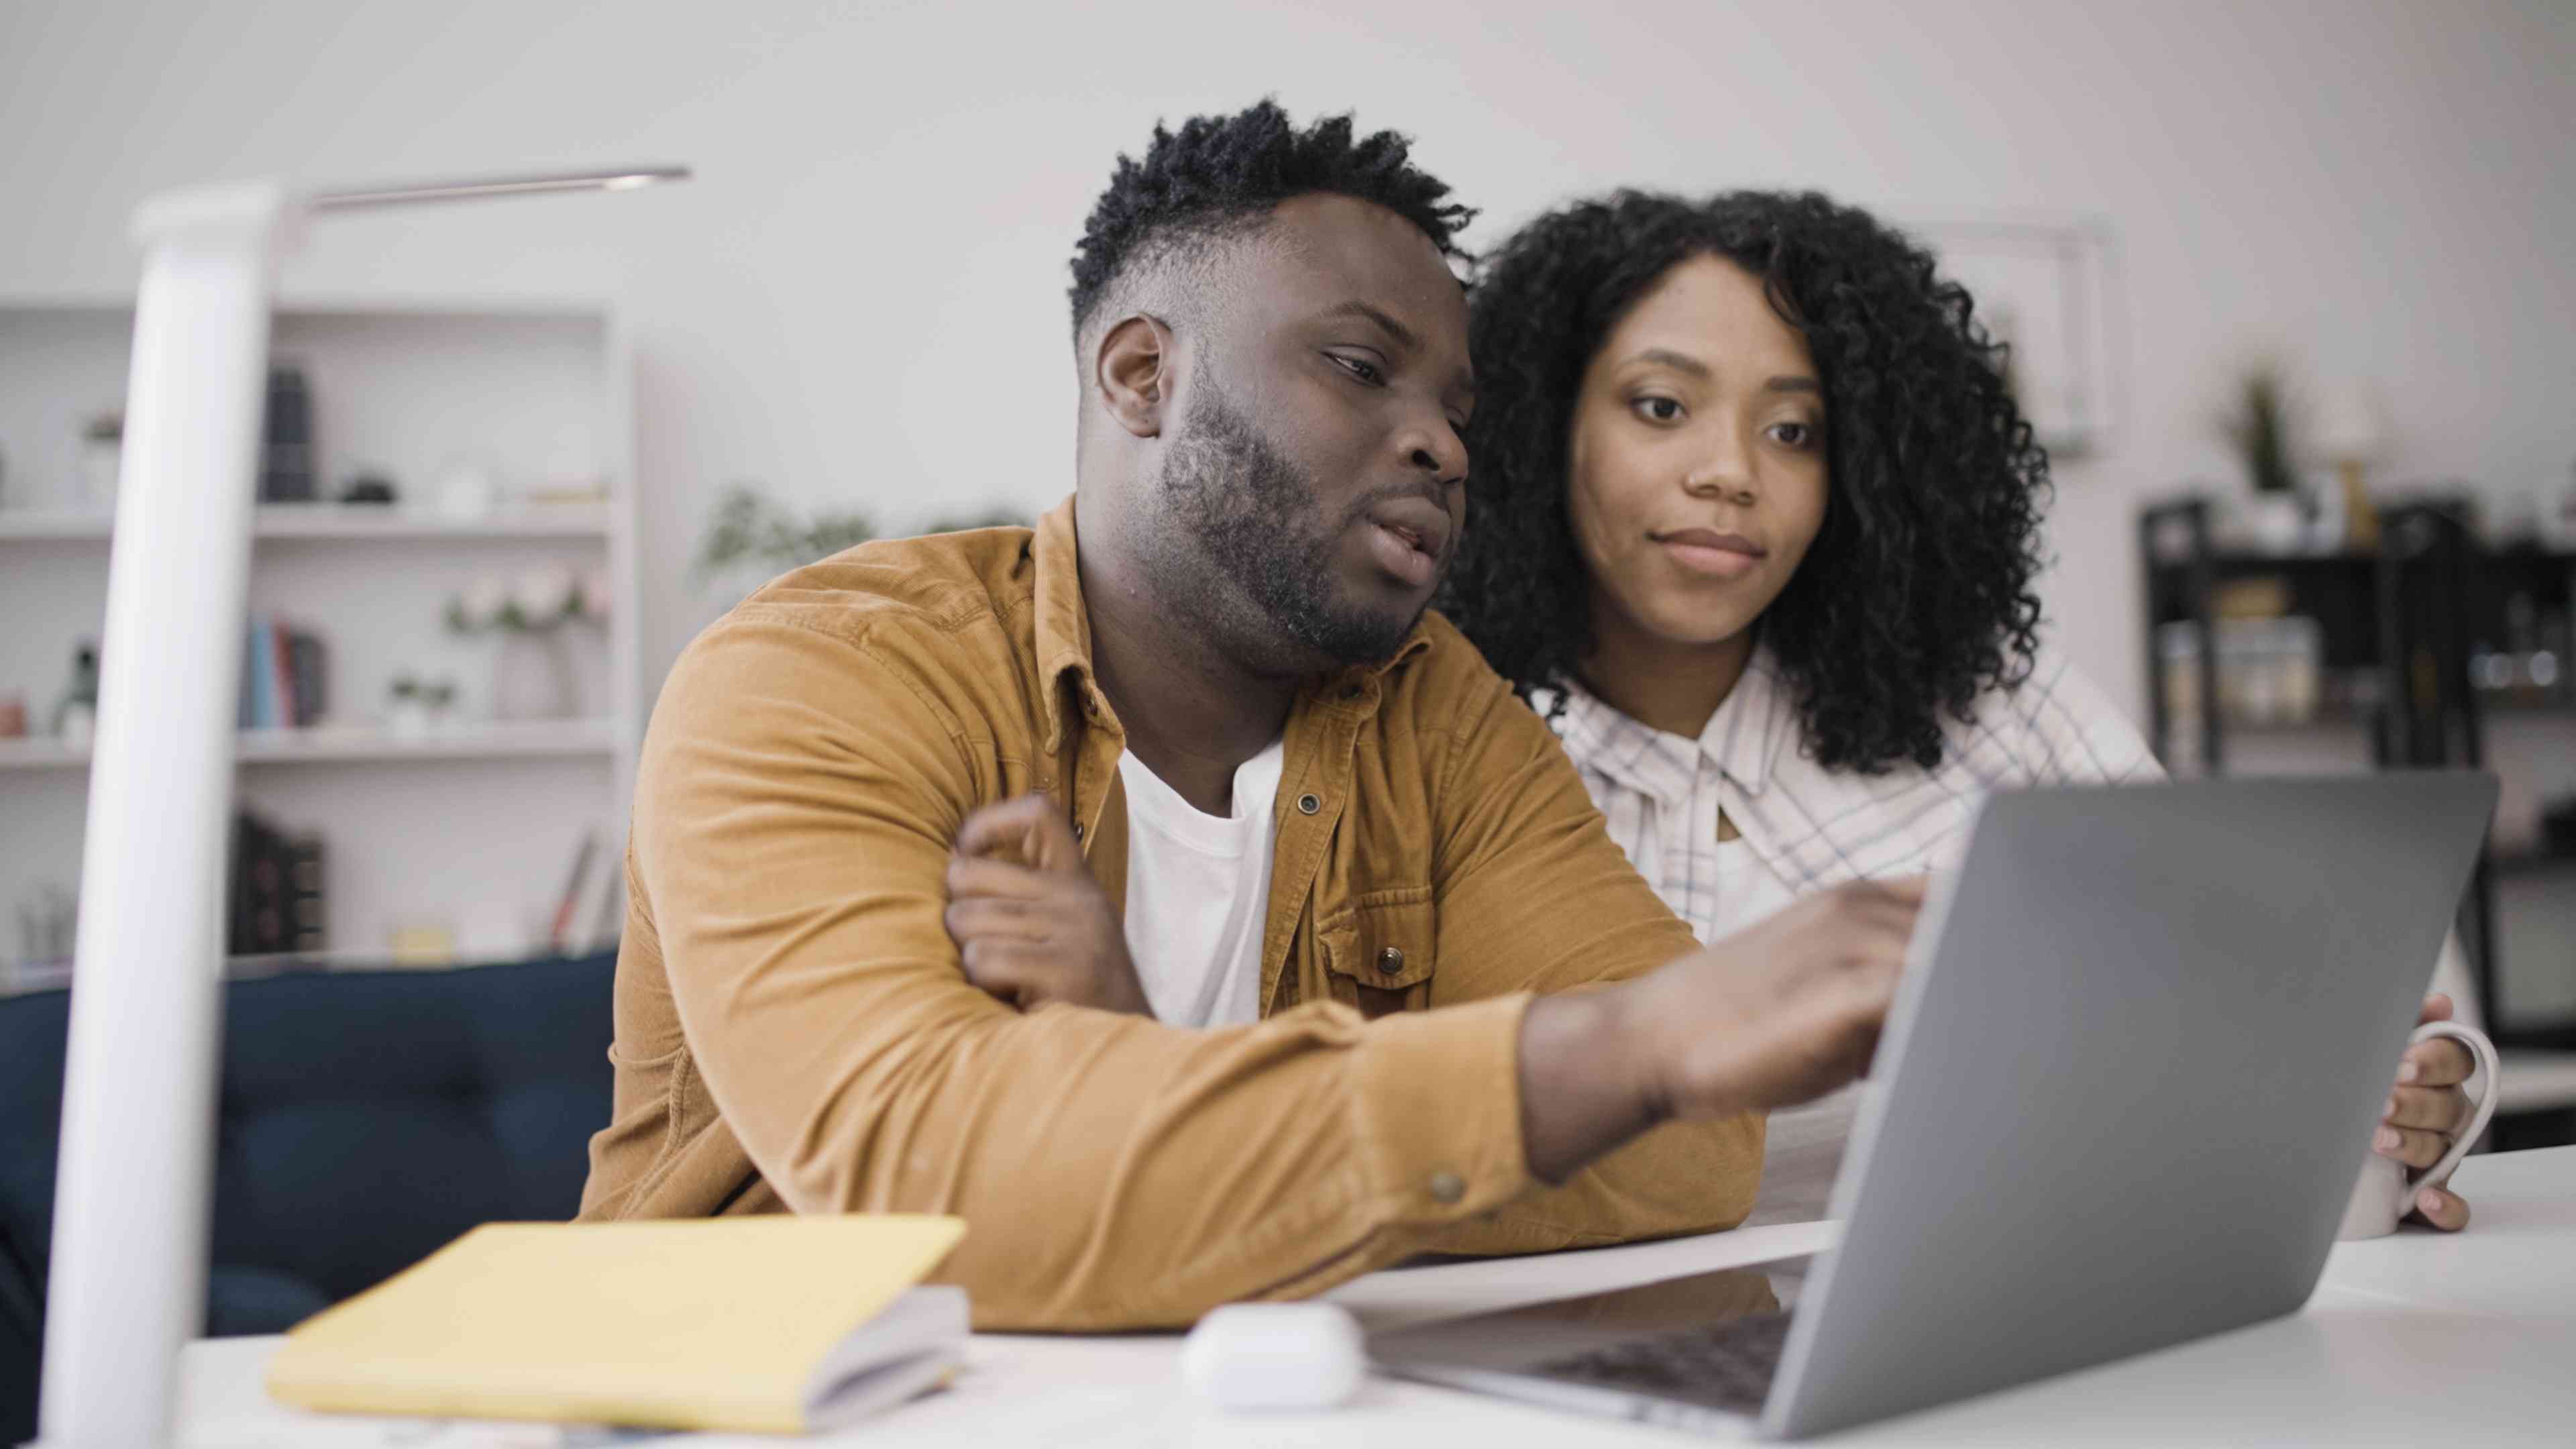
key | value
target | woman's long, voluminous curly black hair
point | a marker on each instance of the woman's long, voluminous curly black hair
(1915, 594)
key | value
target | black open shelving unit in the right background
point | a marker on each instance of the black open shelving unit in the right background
(2410, 620)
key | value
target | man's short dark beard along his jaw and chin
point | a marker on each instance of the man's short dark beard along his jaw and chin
(1251, 553)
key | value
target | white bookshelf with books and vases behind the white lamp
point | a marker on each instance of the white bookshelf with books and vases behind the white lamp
(470, 824)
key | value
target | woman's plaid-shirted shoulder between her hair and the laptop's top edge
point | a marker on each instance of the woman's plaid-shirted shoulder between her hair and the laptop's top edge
(2054, 726)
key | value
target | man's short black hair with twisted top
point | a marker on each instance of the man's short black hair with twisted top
(1220, 177)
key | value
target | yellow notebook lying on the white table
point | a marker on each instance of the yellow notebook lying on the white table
(764, 1324)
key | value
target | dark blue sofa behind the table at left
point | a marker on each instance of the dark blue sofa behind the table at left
(367, 1118)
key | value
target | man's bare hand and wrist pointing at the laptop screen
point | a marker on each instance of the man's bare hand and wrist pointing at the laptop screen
(1776, 1015)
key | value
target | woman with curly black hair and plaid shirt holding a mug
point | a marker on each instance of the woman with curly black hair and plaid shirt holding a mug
(1756, 522)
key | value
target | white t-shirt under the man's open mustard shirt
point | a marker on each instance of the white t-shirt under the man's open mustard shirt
(1199, 893)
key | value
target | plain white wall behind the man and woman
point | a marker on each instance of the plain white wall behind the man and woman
(862, 300)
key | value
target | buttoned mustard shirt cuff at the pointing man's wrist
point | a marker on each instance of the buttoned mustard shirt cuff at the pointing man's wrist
(1439, 1110)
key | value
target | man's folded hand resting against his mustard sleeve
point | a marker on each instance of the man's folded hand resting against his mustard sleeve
(1029, 919)
